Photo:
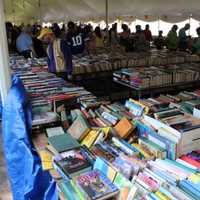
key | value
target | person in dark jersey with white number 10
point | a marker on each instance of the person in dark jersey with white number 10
(76, 39)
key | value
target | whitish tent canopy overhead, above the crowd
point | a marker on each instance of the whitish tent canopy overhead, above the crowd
(84, 10)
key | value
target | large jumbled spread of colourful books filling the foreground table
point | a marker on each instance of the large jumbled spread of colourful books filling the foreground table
(147, 149)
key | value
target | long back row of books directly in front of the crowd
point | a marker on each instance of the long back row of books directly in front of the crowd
(108, 59)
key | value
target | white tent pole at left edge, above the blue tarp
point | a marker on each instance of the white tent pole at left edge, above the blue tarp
(5, 80)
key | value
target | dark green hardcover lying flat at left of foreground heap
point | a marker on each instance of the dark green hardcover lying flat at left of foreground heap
(63, 142)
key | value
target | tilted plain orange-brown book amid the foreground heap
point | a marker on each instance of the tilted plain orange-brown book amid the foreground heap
(124, 127)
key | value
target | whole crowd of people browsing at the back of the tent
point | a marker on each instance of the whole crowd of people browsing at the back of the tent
(58, 44)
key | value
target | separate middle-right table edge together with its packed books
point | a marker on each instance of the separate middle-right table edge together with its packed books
(154, 79)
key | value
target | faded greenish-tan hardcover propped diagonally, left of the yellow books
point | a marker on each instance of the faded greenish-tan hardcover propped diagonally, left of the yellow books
(79, 128)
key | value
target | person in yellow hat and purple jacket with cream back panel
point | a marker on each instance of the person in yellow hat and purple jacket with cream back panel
(58, 53)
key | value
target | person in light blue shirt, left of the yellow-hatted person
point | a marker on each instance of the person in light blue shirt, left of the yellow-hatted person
(24, 43)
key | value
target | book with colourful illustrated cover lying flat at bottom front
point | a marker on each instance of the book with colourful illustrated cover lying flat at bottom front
(96, 185)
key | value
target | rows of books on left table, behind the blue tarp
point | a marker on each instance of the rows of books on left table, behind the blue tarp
(46, 91)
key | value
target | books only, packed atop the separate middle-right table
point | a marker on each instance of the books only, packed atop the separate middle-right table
(158, 76)
